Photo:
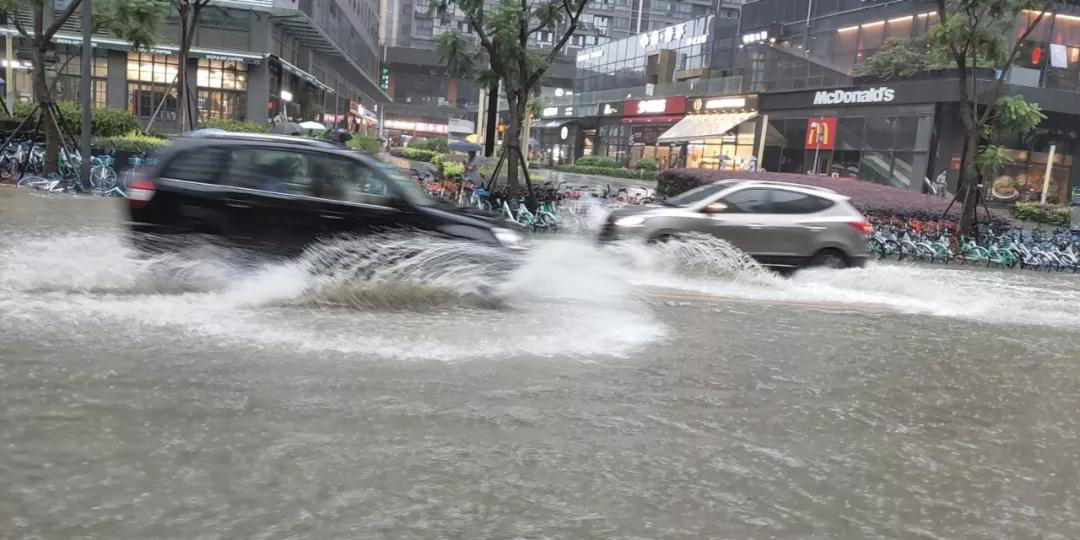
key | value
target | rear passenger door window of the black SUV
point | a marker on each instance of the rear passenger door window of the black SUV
(271, 170)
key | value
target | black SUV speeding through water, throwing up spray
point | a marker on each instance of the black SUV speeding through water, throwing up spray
(281, 194)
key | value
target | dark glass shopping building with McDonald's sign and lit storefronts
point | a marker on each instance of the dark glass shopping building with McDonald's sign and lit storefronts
(787, 97)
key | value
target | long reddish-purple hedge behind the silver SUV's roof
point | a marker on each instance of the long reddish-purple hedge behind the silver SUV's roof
(868, 197)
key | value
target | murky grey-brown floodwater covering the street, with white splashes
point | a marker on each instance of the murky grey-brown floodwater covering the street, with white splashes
(408, 387)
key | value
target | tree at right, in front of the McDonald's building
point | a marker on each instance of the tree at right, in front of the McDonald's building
(973, 34)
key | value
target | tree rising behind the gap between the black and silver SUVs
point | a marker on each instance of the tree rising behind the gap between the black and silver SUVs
(505, 32)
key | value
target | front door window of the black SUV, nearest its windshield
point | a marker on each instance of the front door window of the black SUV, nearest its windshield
(345, 180)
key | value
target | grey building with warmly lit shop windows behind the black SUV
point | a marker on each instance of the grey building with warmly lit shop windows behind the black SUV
(254, 61)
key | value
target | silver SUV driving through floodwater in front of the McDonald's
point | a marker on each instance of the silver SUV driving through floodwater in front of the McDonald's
(779, 224)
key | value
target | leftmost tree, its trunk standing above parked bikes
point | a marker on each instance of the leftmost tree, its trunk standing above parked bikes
(136, 21)
